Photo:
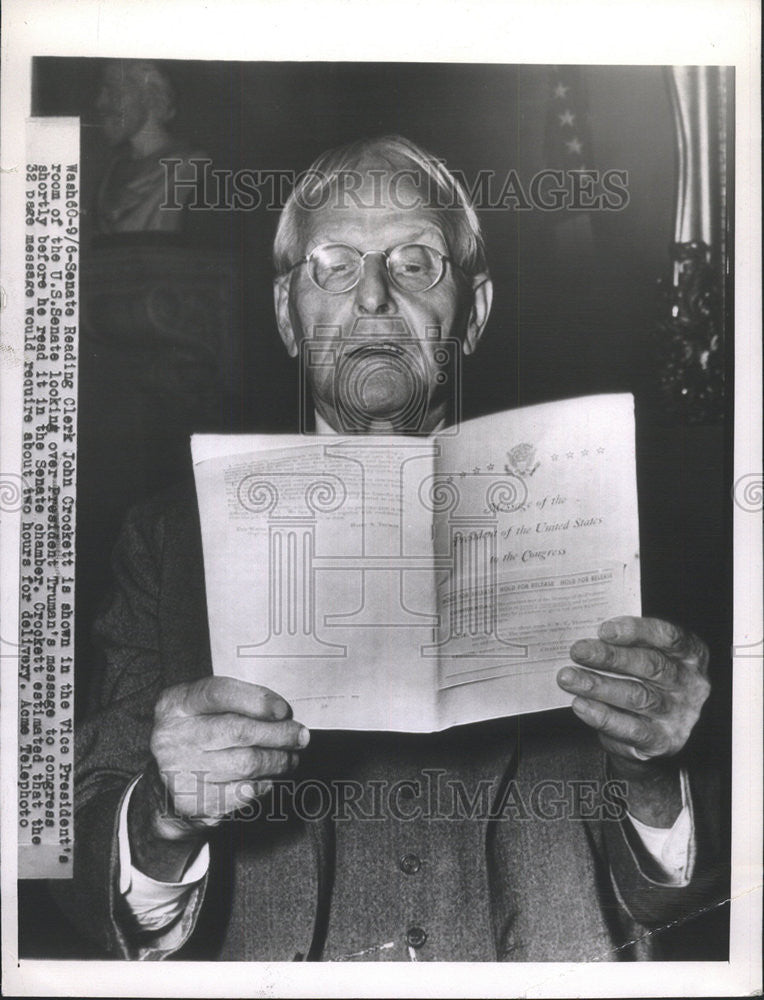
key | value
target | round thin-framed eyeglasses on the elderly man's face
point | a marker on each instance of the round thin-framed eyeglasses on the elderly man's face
(336, 267)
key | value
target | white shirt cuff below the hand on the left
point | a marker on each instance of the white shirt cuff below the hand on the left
(154, 904)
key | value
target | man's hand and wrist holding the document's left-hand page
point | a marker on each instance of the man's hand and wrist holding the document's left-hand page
(217, 744)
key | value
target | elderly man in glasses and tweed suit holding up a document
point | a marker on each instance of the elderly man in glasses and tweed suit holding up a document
(184, 840)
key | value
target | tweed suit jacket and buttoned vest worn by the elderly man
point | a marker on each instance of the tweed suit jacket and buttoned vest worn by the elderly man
(508, 883)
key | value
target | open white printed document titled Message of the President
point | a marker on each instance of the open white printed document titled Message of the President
(410, 583)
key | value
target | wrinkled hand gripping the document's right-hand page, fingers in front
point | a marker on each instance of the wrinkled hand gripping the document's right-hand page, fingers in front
(650, 709)
